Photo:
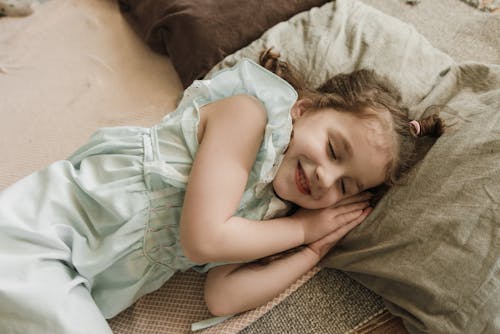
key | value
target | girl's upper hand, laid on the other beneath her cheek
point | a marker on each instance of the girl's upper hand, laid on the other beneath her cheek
(319, 223)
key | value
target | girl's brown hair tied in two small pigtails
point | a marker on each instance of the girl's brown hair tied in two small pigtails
(357, 92)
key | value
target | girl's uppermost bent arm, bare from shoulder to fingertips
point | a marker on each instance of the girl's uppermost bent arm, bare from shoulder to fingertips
(230, 134)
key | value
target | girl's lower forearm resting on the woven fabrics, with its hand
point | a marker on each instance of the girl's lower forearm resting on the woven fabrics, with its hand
(235, 288)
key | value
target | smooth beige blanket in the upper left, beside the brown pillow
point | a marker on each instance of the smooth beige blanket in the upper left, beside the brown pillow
(68, 69)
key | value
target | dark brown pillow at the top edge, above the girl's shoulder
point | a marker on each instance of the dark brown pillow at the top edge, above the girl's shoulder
(197, 34)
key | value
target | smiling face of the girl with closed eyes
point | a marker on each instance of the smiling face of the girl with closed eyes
(332, 155)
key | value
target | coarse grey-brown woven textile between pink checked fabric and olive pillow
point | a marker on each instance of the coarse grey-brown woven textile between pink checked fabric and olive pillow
(328, 290)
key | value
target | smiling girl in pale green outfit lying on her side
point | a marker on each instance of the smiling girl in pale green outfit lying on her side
(208, 188)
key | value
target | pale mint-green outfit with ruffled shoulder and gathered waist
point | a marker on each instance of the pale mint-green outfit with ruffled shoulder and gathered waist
(84, 238)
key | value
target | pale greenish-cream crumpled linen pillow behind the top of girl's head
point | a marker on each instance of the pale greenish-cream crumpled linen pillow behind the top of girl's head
(342, 36)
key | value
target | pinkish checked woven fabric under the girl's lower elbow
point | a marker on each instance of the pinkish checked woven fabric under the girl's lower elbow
(179, 303)
